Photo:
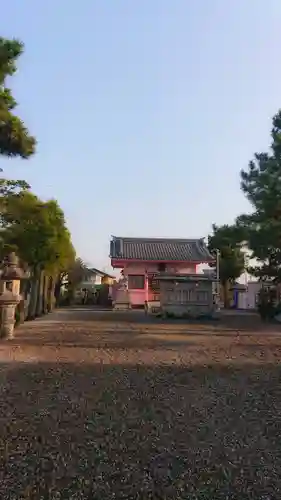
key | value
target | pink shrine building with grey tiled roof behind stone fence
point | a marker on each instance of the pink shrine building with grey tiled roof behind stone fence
(143, 261)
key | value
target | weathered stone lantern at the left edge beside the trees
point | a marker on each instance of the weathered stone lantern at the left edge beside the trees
(10, 278)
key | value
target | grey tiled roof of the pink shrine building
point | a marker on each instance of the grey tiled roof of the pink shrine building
(158, 249)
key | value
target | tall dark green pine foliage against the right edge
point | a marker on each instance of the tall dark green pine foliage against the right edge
(261, 183)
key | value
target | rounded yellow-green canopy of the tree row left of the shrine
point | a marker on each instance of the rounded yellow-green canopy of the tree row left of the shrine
(37, 230)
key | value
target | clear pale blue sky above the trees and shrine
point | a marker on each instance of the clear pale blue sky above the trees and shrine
(145, 110)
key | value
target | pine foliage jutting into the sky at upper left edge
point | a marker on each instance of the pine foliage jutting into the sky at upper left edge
(15, 139)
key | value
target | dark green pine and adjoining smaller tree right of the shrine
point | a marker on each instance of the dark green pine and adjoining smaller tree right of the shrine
(260, 230)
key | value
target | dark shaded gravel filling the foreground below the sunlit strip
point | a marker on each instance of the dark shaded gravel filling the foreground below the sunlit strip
(113, 431)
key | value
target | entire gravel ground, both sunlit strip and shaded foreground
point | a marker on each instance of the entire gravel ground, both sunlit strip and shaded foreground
(100, 409)
